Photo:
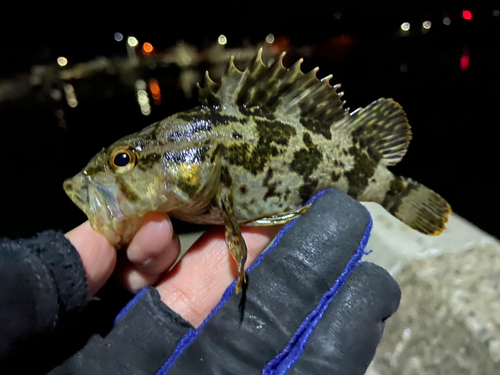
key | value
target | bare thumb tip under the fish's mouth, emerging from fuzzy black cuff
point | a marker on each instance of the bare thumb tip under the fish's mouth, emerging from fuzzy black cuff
(97, 255)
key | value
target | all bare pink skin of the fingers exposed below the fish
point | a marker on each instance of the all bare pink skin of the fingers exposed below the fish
(193, 288)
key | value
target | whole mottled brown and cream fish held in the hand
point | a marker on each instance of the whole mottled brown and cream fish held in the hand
(261, 143)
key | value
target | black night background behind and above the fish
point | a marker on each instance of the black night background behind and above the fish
(452, 106)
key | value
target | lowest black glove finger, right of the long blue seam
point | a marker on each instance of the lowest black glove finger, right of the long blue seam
(345, 339)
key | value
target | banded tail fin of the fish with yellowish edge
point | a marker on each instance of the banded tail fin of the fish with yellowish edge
(417, 206)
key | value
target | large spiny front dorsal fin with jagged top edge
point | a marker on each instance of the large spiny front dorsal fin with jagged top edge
(286, 93)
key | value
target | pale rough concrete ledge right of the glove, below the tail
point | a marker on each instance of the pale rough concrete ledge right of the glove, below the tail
(449, 318)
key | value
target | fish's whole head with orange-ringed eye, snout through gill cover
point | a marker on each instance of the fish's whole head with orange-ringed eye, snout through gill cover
(159, 168)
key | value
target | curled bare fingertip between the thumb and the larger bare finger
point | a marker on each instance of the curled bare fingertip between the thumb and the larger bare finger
(151, 252)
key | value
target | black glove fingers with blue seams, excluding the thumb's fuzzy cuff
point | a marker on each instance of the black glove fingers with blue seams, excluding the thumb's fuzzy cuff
(311, 308)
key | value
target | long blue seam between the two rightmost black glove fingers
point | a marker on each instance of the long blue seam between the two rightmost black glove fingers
(280, 364)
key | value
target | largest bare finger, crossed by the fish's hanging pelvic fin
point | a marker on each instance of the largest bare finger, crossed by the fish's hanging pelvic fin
(194, 287)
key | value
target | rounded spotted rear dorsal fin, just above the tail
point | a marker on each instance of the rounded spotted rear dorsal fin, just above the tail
(382, 127)
